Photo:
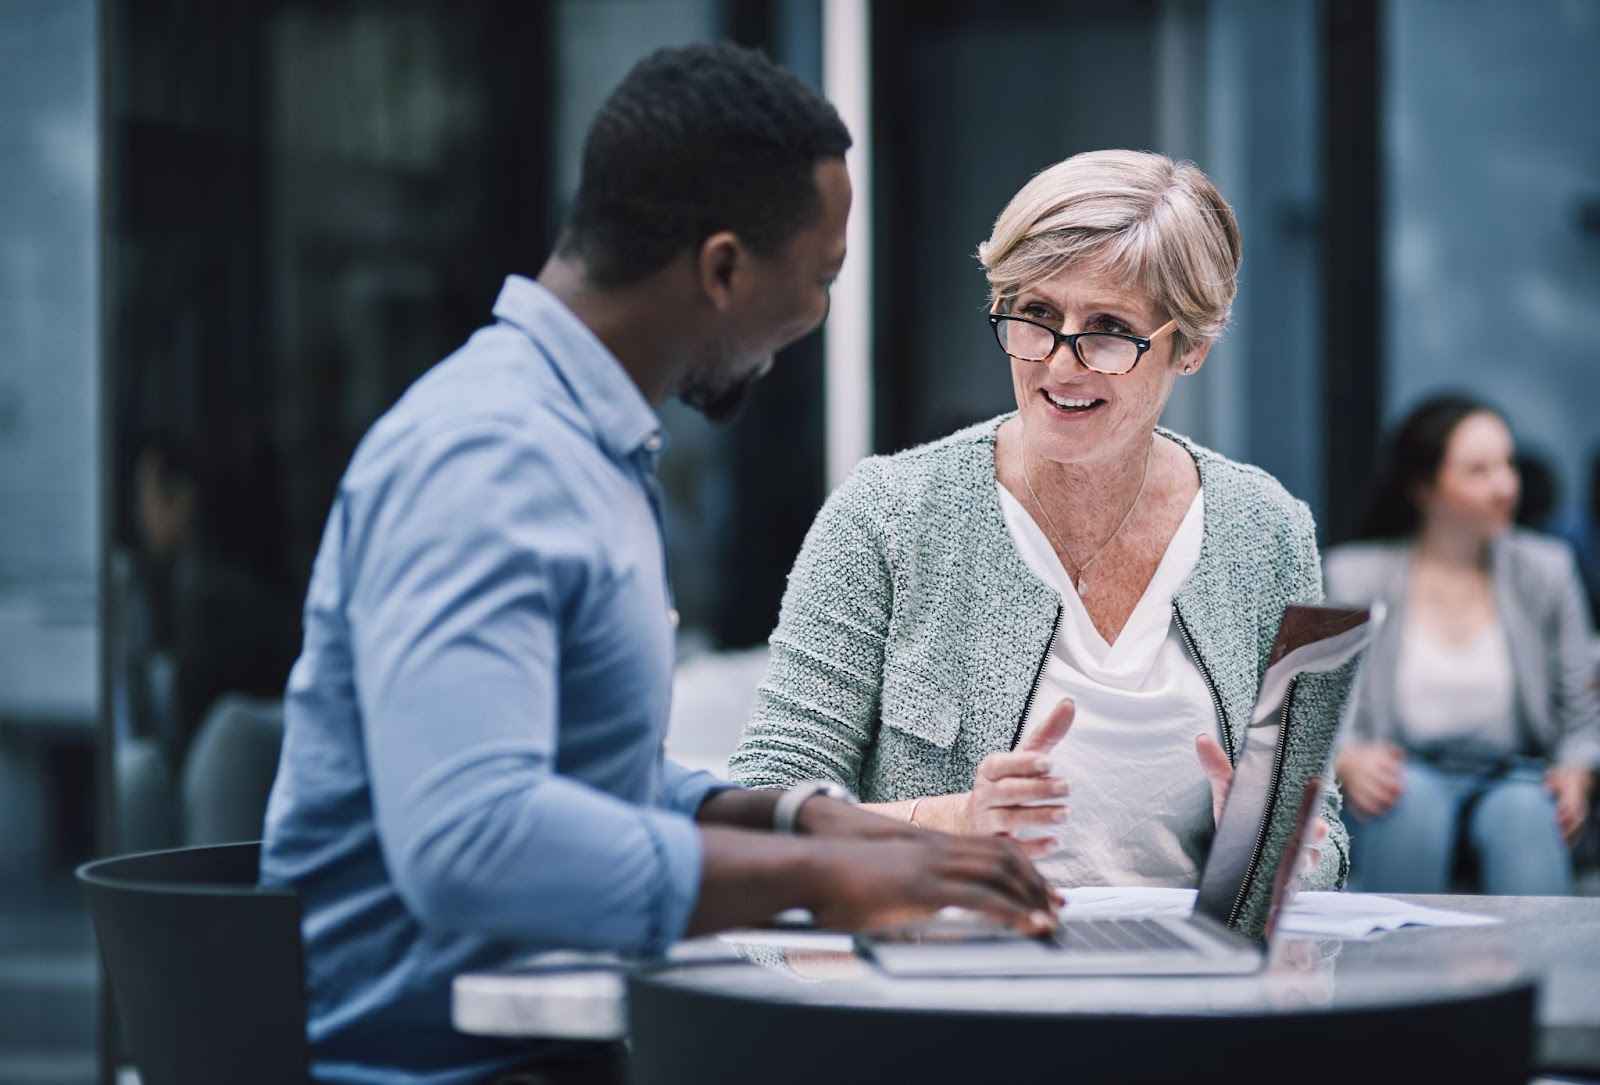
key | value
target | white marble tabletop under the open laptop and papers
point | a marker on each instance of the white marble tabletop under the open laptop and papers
(1556, 940)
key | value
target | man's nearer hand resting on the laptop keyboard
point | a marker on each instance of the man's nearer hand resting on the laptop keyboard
(866, 884)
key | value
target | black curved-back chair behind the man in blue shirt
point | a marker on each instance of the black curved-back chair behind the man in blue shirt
(206, 967)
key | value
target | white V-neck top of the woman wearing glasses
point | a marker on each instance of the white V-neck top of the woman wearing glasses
(1142, 807)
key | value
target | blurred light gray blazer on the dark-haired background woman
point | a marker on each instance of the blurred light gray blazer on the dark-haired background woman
(1542, 607)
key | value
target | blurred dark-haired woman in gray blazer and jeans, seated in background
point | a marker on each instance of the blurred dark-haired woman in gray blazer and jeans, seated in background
(1476, 715)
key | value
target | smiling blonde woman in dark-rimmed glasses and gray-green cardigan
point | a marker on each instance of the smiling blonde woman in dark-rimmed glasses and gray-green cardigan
(1065, 598)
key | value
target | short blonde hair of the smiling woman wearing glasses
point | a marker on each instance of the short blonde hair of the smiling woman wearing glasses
(1150, 222)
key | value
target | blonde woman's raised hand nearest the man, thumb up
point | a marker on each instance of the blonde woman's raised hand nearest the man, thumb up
(1015, 791)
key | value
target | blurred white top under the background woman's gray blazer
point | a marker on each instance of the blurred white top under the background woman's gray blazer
(1457, 695)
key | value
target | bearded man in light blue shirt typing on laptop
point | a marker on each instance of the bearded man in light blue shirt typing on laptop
(473, 767)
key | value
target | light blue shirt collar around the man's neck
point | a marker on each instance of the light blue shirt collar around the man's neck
(602, 388)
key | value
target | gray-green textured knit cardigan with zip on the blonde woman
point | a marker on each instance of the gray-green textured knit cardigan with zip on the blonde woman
(913, 633)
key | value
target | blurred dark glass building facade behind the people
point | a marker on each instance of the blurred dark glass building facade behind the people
(234, 233)
